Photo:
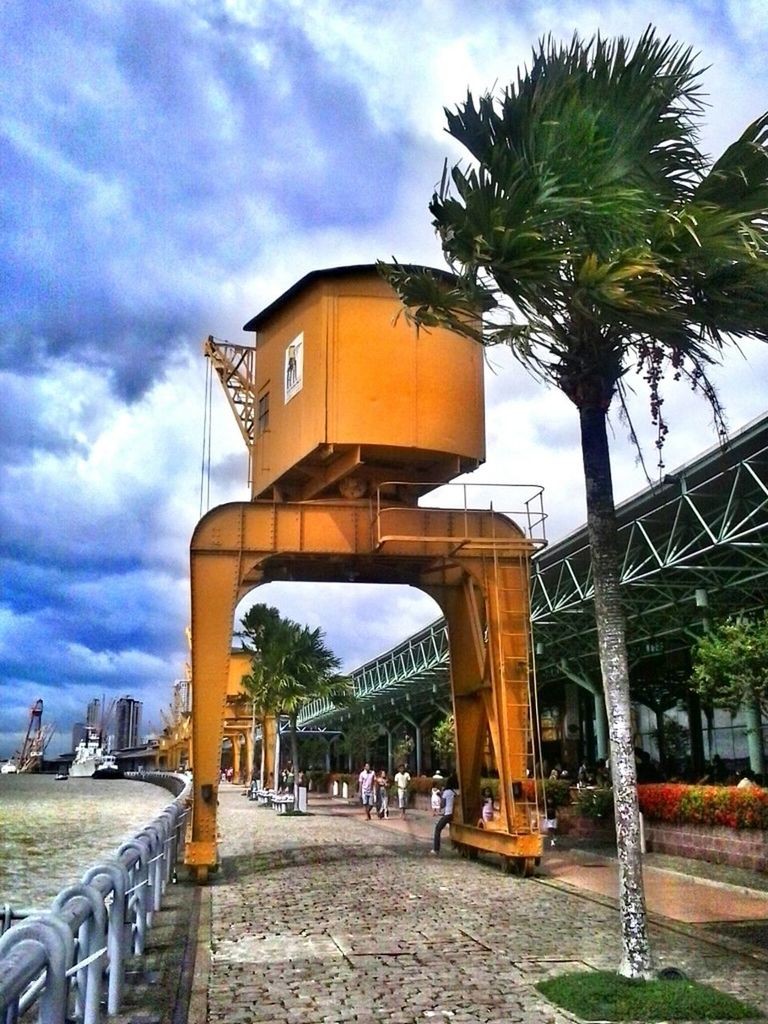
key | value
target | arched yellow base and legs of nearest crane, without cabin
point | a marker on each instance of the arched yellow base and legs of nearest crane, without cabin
(476, 565)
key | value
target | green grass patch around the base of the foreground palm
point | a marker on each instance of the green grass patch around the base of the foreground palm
(604, 996)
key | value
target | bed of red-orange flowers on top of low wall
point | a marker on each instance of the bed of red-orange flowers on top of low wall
(705, 805)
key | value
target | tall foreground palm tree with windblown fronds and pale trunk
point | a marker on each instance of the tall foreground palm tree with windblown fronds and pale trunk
(592, 238)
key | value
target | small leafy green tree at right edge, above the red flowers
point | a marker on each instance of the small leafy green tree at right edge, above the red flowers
(731, 670)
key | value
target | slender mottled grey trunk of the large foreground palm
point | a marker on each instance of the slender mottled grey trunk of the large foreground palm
(602, 527)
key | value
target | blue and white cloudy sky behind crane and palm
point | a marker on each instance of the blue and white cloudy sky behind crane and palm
(168, 169)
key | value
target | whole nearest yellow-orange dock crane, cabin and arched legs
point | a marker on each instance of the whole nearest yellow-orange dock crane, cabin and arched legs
(351, 418)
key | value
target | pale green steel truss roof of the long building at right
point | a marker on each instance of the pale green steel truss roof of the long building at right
(693, 548)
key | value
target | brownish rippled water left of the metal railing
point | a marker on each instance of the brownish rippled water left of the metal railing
(53, 832)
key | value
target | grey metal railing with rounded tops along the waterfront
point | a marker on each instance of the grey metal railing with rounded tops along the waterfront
(71, 960)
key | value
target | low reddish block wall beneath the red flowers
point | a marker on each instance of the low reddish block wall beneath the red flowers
(741, 848)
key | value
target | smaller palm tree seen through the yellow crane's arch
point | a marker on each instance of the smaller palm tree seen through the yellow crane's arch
(292, 666)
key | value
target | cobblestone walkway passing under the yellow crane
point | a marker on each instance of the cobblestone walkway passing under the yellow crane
(329, 918)
